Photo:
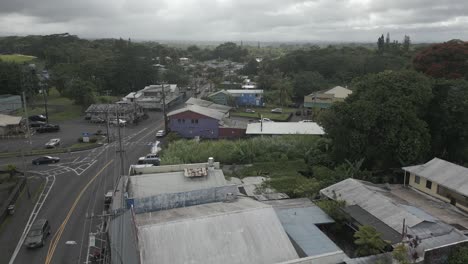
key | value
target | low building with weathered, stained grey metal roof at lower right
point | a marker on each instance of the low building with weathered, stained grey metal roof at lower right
(396, 219)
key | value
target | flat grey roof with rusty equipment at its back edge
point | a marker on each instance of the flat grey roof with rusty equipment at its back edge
(147, 185)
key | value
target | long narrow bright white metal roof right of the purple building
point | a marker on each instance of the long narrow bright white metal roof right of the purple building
(284, 128)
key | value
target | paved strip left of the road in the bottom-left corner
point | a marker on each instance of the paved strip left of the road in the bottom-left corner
(12, 228)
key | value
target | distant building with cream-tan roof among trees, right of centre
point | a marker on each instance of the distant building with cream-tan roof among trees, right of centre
(324, 99)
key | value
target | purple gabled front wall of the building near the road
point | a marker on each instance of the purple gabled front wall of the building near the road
(186, 126)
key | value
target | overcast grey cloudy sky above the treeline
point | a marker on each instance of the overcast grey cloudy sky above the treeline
(236, 20)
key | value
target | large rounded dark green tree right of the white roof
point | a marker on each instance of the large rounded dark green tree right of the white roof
(383, 121)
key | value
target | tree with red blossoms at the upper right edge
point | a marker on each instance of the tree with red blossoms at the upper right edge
(446, 60)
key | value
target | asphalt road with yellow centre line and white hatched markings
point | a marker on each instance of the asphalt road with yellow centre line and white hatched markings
(76, 198)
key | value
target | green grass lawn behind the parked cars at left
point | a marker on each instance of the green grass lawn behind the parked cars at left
(59, 108)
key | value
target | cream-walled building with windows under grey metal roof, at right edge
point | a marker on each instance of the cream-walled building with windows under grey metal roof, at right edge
(441, 179)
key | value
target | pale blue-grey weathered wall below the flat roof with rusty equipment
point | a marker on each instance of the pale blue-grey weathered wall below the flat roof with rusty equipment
(183, 199)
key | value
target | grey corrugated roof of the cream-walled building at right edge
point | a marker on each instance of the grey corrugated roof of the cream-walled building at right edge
(447, 174)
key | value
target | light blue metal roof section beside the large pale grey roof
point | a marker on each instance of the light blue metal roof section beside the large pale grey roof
(299, 223)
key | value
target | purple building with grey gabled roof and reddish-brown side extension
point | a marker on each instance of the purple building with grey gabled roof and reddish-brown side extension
(198, 121)
